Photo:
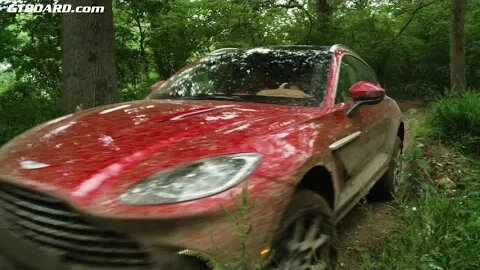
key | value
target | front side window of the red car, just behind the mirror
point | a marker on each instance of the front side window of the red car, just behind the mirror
(352, 70)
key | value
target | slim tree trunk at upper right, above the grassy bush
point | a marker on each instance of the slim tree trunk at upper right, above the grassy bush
(457, 46)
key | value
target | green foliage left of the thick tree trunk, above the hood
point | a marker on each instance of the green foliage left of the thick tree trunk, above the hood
(29, 71)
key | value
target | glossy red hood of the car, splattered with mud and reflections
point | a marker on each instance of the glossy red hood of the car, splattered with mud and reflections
(78, 152)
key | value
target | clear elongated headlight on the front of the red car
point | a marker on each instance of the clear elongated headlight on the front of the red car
(192, 181)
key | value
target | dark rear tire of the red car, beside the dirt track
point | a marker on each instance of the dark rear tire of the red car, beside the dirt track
(384, 190)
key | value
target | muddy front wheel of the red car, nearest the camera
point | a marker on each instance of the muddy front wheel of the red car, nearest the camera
(306, 235)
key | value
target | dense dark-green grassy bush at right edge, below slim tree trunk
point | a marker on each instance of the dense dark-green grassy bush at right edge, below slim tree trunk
(457, 119)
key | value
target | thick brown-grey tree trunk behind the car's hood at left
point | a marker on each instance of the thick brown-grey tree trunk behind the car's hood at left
(88, 57)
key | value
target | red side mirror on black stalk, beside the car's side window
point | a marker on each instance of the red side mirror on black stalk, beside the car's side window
(365, 93)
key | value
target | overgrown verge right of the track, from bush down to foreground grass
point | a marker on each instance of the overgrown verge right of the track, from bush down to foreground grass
(439, 225)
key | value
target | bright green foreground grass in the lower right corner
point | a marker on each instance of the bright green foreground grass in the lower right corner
(439, 230)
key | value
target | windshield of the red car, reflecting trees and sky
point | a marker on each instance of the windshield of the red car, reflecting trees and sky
(279, 76)
